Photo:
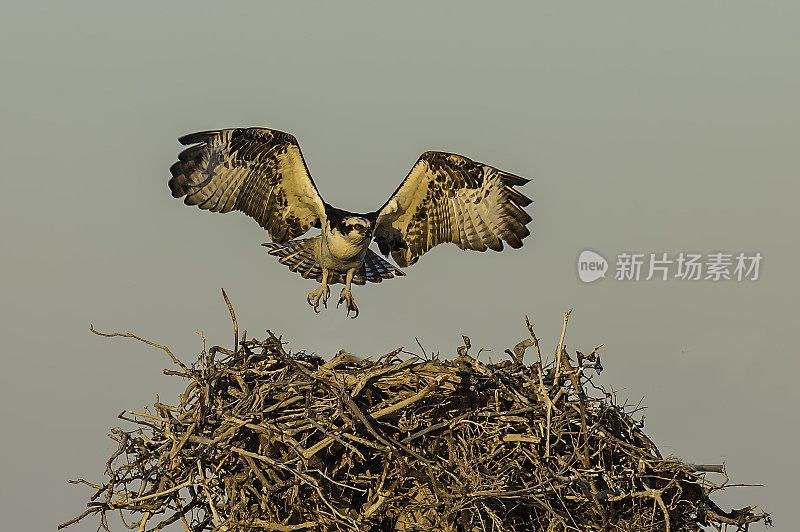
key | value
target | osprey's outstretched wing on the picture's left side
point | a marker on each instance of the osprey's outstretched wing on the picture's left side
(260, 172)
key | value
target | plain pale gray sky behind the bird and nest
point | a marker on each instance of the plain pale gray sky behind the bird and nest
(645, 128)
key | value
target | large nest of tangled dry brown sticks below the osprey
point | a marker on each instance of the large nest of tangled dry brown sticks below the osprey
(266, 439)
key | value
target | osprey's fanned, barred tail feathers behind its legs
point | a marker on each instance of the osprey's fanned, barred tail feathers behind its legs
(301, 256)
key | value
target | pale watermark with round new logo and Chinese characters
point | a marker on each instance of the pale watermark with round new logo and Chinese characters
(683, 266)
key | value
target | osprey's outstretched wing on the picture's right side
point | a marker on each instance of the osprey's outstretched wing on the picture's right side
(450, 198)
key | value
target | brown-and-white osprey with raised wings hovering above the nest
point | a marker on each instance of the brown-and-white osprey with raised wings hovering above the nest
(261, 172)
